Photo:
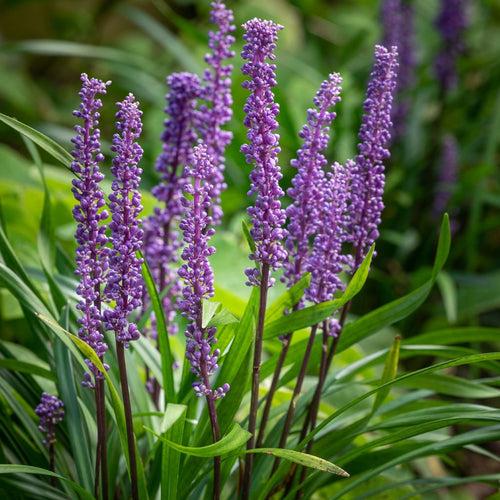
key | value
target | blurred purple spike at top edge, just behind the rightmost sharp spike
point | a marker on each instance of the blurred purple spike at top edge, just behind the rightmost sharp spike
(398, 23)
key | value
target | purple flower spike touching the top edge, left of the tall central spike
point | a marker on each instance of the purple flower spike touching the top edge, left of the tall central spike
(216, 110)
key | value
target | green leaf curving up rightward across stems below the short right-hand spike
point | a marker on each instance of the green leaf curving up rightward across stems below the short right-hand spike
(313, 315)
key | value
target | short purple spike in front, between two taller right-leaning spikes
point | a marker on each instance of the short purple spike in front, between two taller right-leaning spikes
(327, 261)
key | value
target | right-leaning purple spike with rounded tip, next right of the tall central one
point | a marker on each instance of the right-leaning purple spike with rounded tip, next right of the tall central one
(307, 192)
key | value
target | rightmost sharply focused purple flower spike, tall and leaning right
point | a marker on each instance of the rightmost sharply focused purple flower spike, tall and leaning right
(367, 175)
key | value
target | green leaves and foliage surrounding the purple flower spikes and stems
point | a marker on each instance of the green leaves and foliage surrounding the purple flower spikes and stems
(426, 429)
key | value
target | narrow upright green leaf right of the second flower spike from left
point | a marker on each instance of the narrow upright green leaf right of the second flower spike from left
(167, 360)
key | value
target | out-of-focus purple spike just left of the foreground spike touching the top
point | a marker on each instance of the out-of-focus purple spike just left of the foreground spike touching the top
(161, 240)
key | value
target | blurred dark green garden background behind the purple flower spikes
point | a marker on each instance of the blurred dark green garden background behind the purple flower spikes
(46, 44)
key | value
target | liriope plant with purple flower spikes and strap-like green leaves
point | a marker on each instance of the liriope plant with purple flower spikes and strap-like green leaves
(143, 384)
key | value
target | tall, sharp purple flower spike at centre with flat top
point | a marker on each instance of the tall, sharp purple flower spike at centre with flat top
(262, 151)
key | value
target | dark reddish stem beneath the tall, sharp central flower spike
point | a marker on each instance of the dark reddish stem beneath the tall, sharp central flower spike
(254, 403)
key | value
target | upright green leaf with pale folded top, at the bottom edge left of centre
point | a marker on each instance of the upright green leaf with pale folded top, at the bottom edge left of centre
(172, 430)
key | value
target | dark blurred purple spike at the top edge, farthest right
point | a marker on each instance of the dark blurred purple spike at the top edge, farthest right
(451, 23)
